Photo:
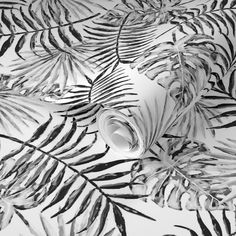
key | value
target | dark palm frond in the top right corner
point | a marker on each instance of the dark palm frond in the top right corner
(211, 17)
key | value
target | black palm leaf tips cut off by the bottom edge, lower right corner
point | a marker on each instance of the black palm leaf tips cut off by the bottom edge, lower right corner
(205, 230)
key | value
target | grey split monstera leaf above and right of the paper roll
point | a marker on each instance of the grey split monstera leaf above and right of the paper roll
(182, 66)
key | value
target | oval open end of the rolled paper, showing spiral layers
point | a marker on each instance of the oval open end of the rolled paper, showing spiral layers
(120, 133)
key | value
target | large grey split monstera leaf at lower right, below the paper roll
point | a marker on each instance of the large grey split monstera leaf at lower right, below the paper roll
(190, 168)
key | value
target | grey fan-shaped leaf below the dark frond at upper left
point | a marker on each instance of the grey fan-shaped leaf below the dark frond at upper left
(50, 74)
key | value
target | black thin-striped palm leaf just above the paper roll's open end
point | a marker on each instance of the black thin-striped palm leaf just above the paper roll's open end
(108, 89)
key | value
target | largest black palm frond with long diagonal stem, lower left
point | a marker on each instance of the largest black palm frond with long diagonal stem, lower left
(61, 164)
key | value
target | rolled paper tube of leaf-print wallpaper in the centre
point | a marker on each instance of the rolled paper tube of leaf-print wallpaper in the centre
(131, 132)
